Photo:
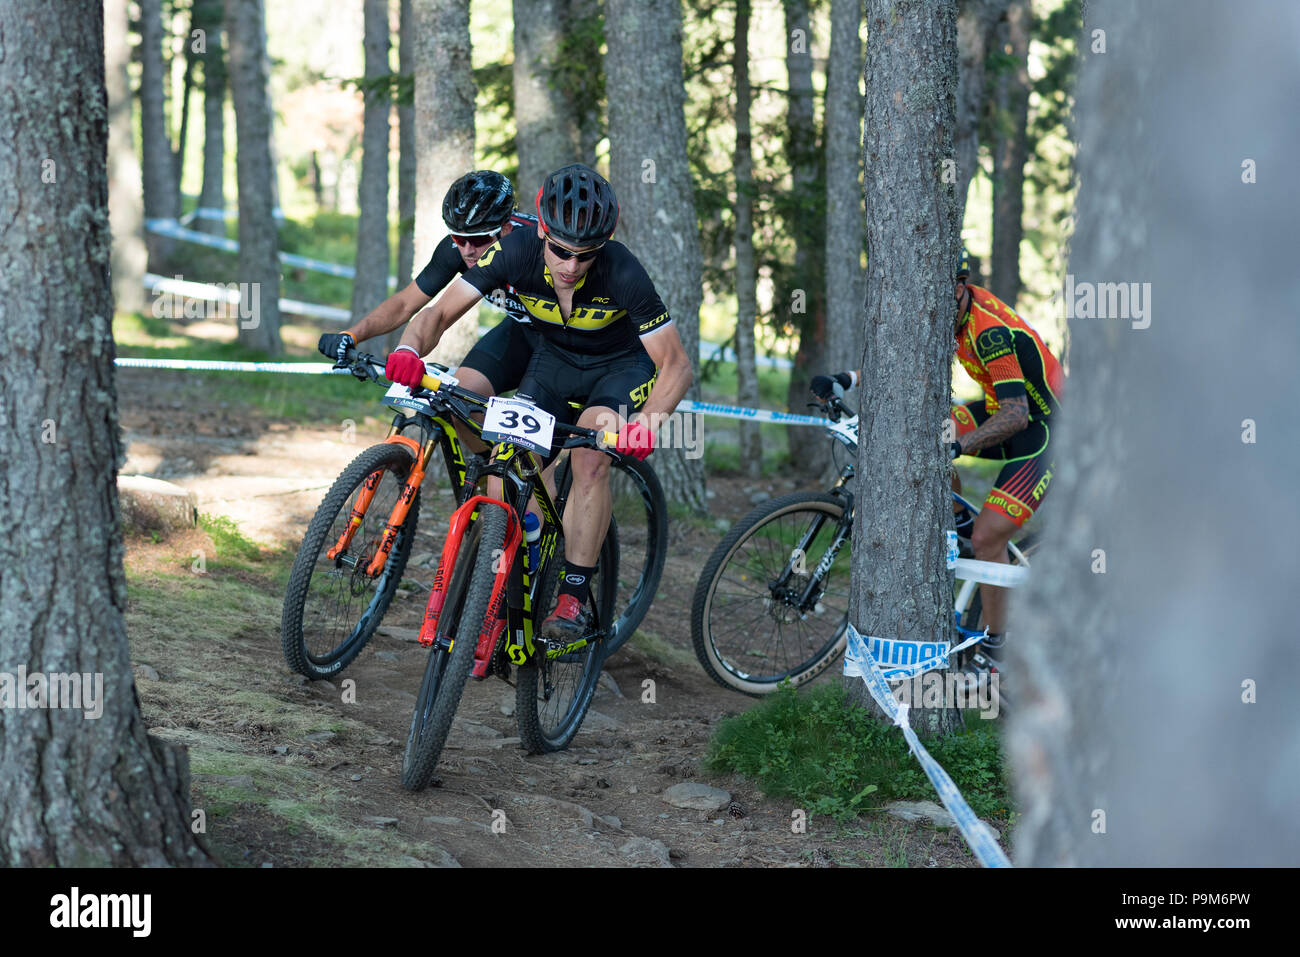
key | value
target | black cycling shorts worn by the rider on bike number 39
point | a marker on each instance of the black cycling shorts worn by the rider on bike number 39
(621, 382)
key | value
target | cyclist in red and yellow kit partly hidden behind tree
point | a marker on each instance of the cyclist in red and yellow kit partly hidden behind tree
(1022, 384)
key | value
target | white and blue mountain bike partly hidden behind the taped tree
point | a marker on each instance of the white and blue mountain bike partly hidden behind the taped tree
(773, 601)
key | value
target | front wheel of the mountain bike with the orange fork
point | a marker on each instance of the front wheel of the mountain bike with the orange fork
(332, 605)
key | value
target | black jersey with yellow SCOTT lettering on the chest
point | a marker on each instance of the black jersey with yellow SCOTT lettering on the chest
(614, 304)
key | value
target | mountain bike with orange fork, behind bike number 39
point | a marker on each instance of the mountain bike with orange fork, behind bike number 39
(356, 551)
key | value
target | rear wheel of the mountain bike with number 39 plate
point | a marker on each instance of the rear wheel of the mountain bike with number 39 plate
(554, 694)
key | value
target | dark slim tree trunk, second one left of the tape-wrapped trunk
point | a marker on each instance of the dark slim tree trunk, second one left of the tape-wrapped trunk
(805, 301)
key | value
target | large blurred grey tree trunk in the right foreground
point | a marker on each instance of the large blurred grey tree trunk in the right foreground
(1155, 655)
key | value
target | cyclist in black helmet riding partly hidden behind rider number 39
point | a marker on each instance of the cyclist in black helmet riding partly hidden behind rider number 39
(478, 210)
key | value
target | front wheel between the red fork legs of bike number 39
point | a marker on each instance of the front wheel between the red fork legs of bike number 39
(448, 669)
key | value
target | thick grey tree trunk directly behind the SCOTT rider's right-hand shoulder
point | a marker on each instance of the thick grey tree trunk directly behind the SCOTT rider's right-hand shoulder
(656, 193)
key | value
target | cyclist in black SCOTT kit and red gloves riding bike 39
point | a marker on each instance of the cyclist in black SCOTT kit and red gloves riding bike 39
(603, 335)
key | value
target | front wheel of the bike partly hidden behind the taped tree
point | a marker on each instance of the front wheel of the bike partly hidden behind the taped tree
(749, 627)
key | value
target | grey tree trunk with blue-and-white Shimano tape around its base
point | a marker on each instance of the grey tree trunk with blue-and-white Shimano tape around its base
(902, 587)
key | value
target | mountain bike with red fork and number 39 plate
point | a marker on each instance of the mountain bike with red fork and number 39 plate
(488, 596)
